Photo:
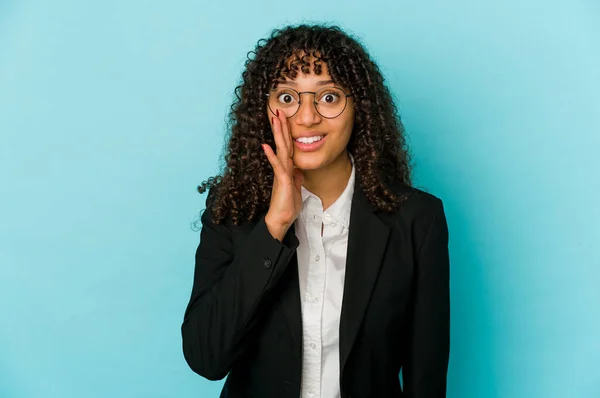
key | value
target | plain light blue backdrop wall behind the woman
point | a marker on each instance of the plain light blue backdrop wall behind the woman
(111, 112)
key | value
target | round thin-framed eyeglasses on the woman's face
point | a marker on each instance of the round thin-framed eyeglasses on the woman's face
(330, 102)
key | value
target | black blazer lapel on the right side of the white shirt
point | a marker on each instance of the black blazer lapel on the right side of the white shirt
(367, 240)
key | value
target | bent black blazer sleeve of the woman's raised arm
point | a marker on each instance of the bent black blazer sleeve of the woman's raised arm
(227, 293)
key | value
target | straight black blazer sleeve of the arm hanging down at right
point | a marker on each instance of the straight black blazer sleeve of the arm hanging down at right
(428, 343)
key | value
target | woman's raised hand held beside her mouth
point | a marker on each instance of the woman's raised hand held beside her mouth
(286, 197)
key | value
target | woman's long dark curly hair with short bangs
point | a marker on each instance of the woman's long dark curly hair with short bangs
(377, 143)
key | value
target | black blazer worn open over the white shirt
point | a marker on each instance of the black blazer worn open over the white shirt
(244, 316)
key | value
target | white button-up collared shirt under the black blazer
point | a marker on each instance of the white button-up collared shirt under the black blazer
(321, 272)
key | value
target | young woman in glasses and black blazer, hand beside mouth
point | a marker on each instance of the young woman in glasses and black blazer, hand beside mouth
(321, 272)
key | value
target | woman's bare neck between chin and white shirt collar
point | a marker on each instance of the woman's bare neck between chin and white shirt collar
(329, 182)
